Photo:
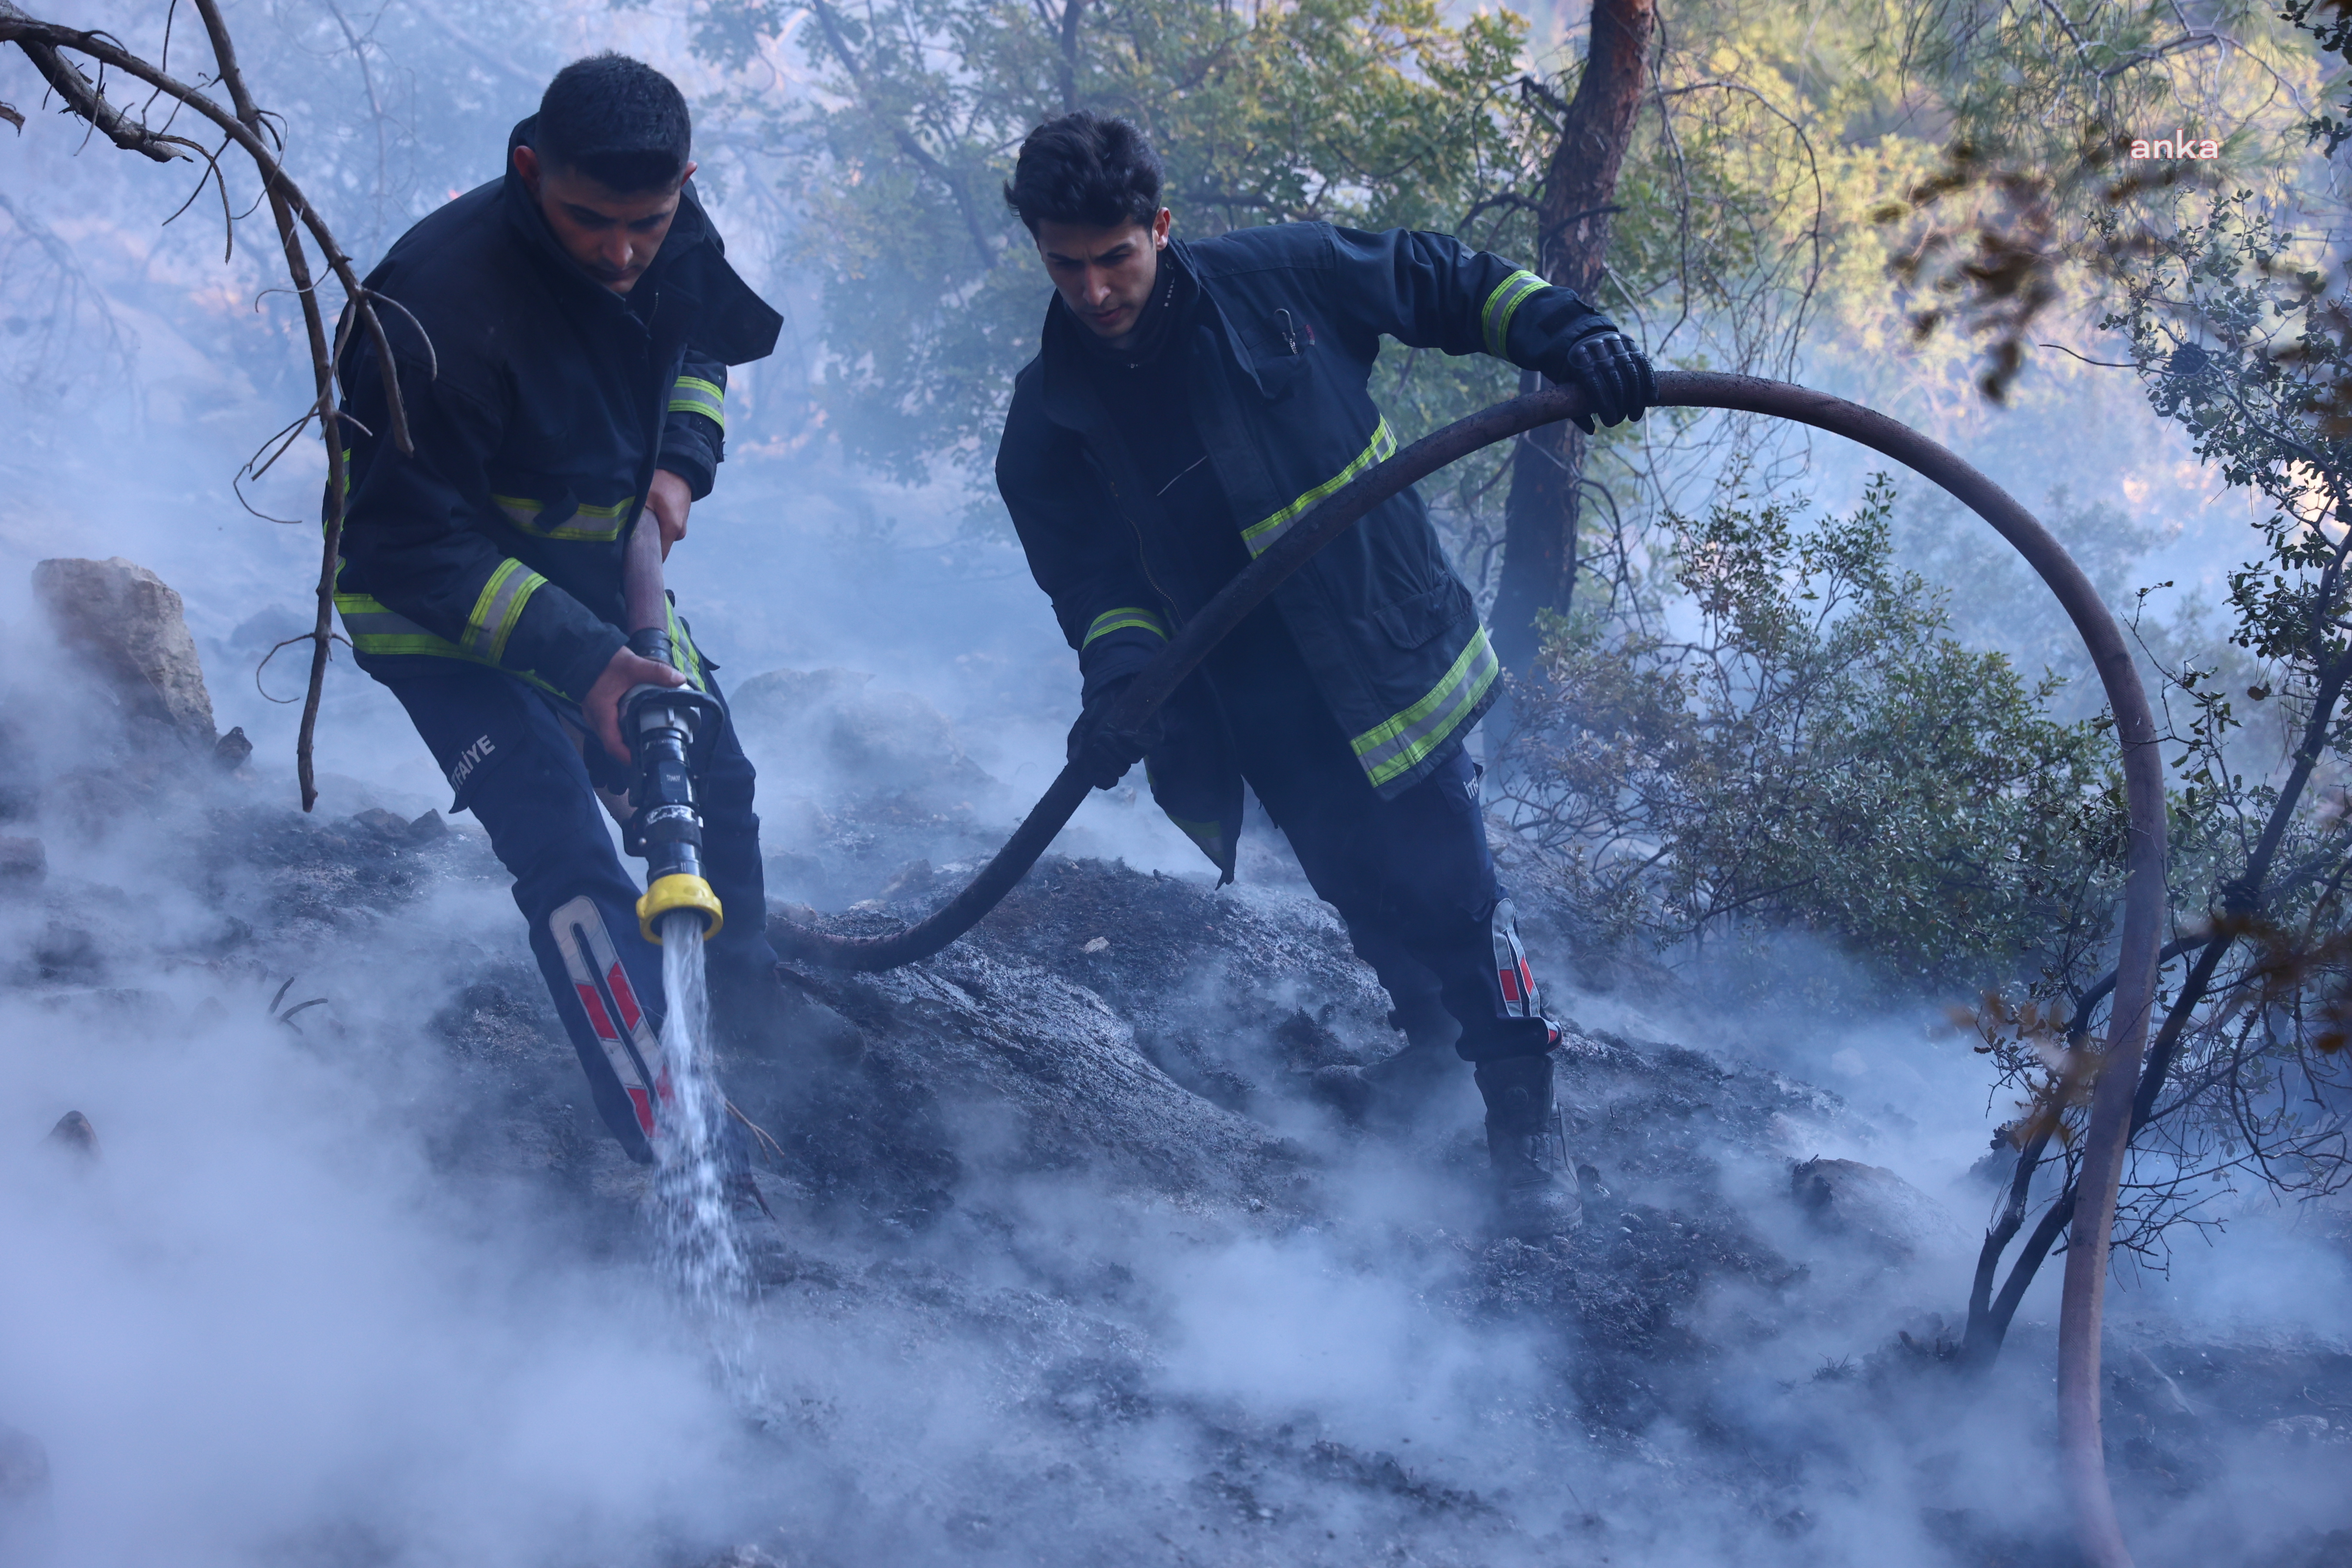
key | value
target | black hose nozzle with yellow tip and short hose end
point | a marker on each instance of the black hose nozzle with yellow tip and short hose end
(669, 735)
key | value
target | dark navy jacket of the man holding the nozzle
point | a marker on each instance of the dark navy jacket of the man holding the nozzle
(540, 403)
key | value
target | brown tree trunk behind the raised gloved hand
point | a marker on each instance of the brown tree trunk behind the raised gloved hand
(1572, 248)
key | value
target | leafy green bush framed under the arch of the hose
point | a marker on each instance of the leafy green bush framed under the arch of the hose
(1822, 756)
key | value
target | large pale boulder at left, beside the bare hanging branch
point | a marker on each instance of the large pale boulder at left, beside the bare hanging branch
(133, 629)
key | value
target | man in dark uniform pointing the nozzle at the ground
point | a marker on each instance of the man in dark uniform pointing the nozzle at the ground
(563, 340)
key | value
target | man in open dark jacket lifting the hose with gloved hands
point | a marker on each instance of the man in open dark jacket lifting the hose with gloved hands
(1187, 406)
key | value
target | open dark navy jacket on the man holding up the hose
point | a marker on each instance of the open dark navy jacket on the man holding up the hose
(1281, 351)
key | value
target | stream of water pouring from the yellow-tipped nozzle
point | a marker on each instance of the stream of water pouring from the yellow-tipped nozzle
(697, 1224)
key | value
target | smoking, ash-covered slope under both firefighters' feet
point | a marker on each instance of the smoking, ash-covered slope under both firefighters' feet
(1074, 1264)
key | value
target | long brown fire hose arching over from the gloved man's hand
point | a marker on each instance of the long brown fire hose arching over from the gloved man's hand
(2134, 725)
